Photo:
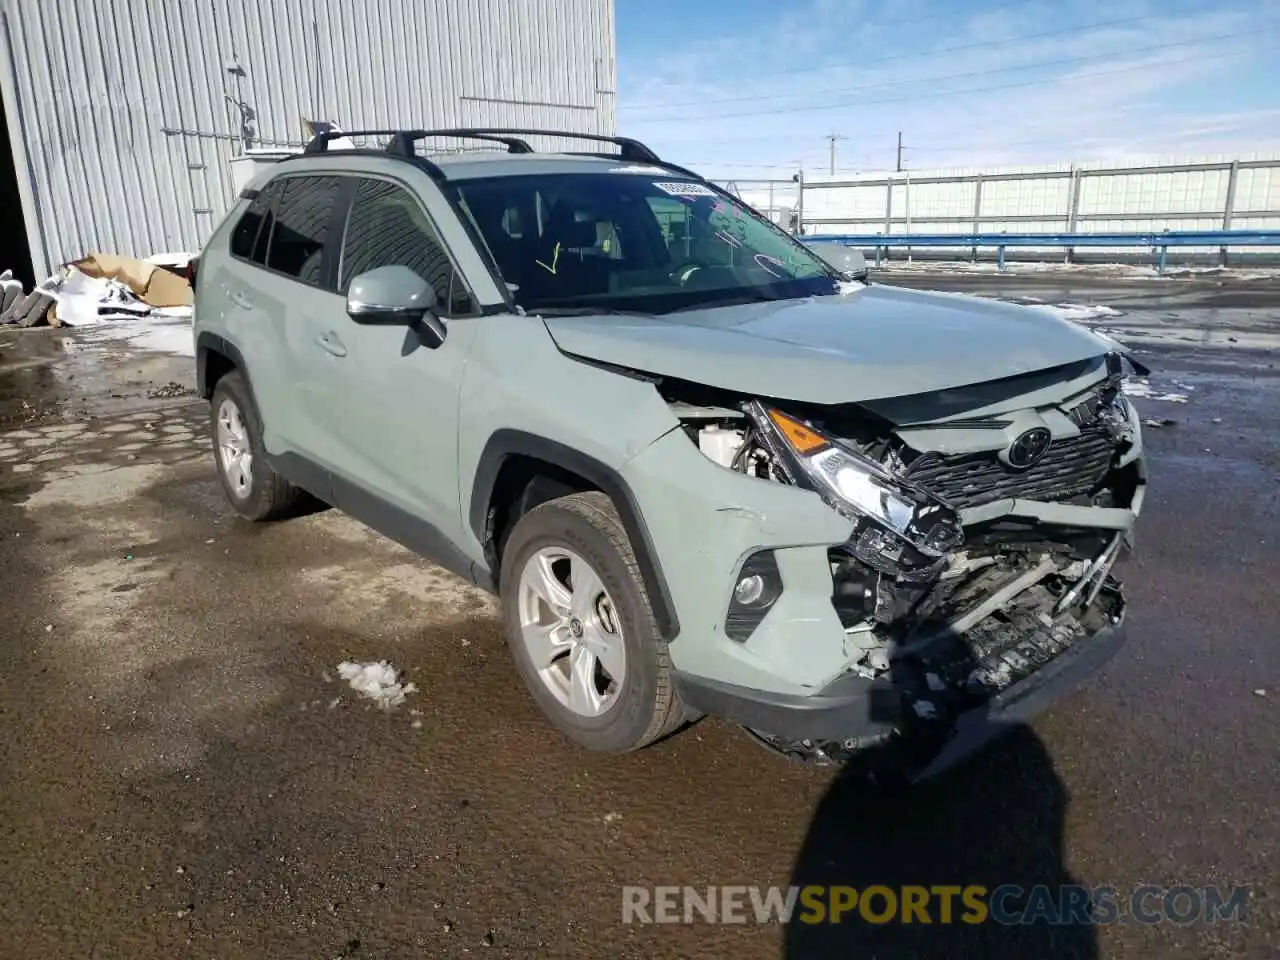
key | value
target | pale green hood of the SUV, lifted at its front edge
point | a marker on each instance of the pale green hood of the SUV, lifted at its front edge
(874, 344)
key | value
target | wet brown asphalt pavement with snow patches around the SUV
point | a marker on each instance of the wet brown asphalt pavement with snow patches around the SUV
(185, 775)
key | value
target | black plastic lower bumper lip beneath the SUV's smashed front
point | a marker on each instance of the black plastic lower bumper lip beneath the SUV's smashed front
(857, 710)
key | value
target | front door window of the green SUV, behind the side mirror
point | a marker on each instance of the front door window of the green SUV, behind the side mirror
(387, 227)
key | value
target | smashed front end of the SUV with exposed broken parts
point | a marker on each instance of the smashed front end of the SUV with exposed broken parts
(984, 545)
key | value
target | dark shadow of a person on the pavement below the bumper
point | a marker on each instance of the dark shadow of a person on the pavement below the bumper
(998, 820)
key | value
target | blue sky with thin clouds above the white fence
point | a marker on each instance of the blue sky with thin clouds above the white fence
(752, 89)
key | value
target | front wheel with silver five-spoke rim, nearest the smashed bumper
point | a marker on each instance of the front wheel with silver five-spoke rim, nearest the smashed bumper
(580, 627)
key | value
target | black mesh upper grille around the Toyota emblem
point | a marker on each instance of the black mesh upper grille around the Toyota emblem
(1072, 468)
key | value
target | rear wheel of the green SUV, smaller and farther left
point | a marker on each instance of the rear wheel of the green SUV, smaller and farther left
(253, 488)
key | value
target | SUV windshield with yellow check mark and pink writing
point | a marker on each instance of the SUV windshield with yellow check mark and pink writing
(587, 243)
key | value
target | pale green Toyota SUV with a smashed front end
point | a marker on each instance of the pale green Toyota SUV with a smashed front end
(706, 470)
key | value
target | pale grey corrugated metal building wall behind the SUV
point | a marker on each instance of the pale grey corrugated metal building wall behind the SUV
(124, 112)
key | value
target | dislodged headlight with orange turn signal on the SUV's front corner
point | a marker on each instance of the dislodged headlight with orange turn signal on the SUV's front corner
(861, 488)
